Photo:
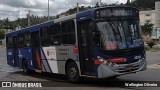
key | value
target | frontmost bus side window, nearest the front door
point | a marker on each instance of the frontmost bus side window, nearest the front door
(68, 35)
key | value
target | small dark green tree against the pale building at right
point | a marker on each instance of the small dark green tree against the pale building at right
(147, 28)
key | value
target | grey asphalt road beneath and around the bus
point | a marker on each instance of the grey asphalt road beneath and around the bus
(59, 82)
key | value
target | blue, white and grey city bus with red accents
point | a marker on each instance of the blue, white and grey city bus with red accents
(100, 43)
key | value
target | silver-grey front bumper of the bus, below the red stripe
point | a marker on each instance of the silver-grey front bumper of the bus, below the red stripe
(105, 71)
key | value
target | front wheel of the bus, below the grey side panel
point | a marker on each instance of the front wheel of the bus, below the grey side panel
(73, 72)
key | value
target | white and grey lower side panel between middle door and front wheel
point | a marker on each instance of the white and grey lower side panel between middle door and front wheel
(54, 58)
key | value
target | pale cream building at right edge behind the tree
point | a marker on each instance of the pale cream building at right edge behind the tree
(152, 16)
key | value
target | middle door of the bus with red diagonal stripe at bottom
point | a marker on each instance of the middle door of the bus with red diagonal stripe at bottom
(35, 50)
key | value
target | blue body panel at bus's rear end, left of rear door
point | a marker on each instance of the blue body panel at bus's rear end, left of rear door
(10, 60)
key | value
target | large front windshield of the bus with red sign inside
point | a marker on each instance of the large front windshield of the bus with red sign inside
(115, 35)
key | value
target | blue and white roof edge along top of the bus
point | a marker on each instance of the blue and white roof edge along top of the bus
(80, 15)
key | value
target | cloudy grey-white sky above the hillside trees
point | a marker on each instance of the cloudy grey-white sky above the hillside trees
(14, 9)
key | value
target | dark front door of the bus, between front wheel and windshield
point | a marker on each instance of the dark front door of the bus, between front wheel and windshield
(85, 48)
